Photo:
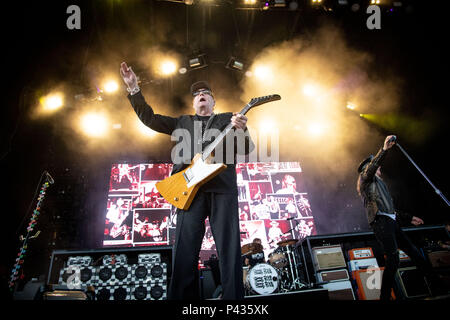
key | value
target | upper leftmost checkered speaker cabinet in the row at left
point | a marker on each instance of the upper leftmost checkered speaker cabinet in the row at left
(78, 277)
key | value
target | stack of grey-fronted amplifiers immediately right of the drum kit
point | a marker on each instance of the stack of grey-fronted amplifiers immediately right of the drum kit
(330, 268)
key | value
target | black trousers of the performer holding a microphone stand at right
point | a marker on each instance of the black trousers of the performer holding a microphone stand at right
(391, 237)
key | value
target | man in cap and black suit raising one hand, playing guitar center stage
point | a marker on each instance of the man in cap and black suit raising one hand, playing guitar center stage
(216, 199)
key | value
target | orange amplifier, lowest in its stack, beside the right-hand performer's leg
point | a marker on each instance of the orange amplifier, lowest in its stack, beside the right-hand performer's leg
(368, 283)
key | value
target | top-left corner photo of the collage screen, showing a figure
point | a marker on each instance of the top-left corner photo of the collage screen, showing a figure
(124, 179)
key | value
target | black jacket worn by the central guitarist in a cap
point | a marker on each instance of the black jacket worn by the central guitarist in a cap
(225, 182)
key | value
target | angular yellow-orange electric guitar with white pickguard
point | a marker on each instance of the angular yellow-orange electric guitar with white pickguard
(180, 189)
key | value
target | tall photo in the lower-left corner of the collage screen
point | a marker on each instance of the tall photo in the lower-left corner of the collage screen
(118, 221)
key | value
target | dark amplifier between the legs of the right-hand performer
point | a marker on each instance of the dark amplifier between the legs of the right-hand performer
(411, 283)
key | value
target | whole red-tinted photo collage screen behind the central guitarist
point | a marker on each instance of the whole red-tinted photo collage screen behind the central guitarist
(273, 206)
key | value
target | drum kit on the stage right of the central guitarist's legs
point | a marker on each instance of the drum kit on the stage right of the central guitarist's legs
(280, 274)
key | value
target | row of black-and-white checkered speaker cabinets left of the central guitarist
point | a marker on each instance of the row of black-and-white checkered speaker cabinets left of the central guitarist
(116, 279)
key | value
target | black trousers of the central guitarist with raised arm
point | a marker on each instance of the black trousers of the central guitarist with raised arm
(222, 210)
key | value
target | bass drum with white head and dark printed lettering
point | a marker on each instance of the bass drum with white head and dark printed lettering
(262, 279)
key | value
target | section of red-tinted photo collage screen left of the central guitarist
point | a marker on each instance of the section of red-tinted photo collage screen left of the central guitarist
(137, 215)
